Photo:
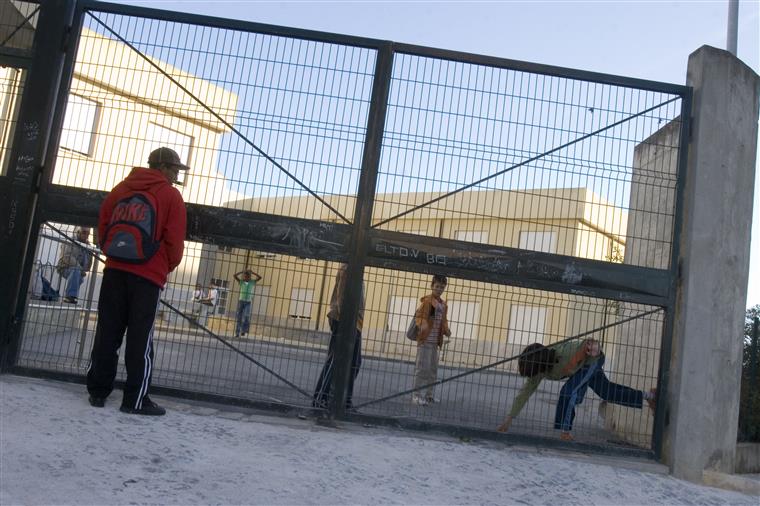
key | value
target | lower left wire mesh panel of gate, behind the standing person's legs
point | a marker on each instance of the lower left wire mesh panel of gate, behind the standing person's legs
(205, 342)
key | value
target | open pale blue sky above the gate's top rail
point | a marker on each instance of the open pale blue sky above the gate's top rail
(642, 39)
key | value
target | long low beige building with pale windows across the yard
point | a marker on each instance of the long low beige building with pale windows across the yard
(487, 321)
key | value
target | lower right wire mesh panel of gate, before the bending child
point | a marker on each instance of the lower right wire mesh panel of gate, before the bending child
(491, 324)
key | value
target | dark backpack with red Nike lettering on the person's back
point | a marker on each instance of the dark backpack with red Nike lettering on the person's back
(131, 234)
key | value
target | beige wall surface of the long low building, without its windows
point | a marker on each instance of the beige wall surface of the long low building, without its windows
(492, 305)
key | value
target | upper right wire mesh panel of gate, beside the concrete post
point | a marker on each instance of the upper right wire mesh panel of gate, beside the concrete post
(539, 162)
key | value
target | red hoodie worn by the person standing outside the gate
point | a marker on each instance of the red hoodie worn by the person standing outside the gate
(171, 222)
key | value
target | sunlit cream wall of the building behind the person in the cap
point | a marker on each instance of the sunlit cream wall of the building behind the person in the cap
(130, 96)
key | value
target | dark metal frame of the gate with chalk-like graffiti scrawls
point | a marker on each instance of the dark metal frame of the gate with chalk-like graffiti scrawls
(34, 199)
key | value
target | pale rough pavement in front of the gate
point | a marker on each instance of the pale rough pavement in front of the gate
(71, 453)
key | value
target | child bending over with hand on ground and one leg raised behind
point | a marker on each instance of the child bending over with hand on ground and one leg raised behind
(581, 362)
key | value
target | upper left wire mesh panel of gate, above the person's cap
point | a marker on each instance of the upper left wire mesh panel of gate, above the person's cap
(258, 118)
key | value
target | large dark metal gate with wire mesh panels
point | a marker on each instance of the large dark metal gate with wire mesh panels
(549, 197)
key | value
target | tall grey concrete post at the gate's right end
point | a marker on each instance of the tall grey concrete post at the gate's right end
(703, 400)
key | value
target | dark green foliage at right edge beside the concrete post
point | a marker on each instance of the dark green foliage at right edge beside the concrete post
(749, 403)
